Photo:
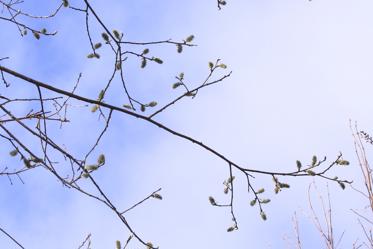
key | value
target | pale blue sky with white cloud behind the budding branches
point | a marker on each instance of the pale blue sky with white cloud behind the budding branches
(300, 71)
